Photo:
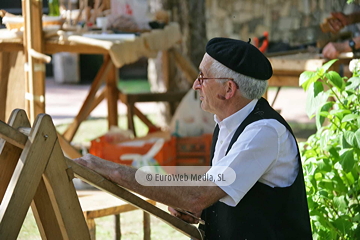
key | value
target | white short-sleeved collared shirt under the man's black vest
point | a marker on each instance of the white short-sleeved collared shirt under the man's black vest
(265, 152)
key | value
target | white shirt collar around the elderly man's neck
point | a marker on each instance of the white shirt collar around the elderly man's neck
(234, 120)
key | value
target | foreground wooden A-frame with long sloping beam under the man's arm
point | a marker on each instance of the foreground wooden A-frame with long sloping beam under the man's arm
(34, 172)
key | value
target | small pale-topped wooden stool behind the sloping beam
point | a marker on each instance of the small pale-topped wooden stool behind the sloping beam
(97, 204)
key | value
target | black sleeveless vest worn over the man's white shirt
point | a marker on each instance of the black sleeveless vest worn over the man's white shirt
(264, 212)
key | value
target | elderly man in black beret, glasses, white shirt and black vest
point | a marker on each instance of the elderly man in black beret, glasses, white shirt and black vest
(267, 200)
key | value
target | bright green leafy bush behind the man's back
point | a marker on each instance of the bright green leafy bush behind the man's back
(331, 156)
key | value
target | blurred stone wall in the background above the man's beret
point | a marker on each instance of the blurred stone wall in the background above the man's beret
(289, 21)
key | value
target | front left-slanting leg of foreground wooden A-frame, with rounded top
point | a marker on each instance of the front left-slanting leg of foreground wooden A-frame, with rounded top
(26, 178)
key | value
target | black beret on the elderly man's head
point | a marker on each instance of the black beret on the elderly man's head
(240, 56)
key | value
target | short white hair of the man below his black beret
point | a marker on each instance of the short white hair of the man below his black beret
(250, 88)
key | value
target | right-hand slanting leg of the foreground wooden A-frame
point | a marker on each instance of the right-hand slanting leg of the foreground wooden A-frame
(63, 195)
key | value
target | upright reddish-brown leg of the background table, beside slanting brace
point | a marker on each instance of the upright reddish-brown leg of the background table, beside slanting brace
(112, 93)
